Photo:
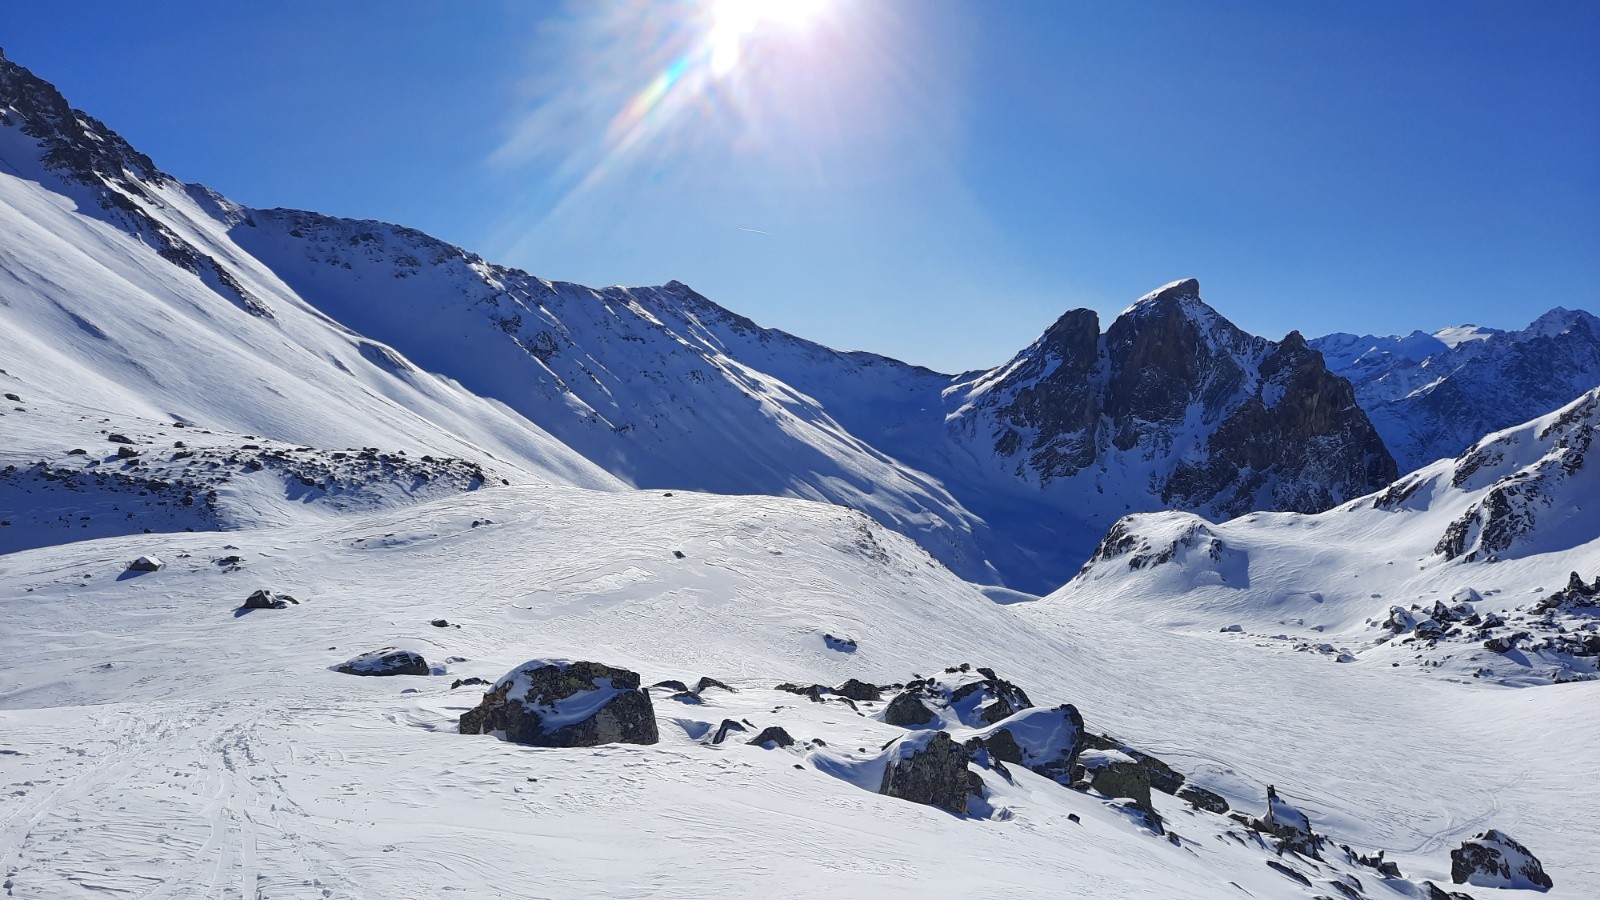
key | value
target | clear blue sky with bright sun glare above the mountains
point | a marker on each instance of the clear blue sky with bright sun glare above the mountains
(935, 180)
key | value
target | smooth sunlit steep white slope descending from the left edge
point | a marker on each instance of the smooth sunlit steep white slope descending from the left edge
(122, 297)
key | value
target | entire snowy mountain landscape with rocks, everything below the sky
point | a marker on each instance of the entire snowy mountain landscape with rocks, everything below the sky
(340, 563)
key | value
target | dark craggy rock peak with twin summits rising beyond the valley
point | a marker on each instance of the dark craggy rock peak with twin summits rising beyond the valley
(1225, 422)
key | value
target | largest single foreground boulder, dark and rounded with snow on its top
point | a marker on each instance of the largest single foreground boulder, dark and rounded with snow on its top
(566, 704)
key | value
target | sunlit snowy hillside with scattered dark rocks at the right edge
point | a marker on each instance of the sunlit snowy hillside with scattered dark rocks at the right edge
(1449, 568)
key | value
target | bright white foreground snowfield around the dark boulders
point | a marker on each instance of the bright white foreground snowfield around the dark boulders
(158, 742)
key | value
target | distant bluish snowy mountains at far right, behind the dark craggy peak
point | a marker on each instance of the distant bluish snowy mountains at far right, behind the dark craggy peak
(1431, 403)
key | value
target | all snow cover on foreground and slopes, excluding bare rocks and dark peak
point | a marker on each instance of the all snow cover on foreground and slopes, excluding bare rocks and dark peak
(158, 744)
